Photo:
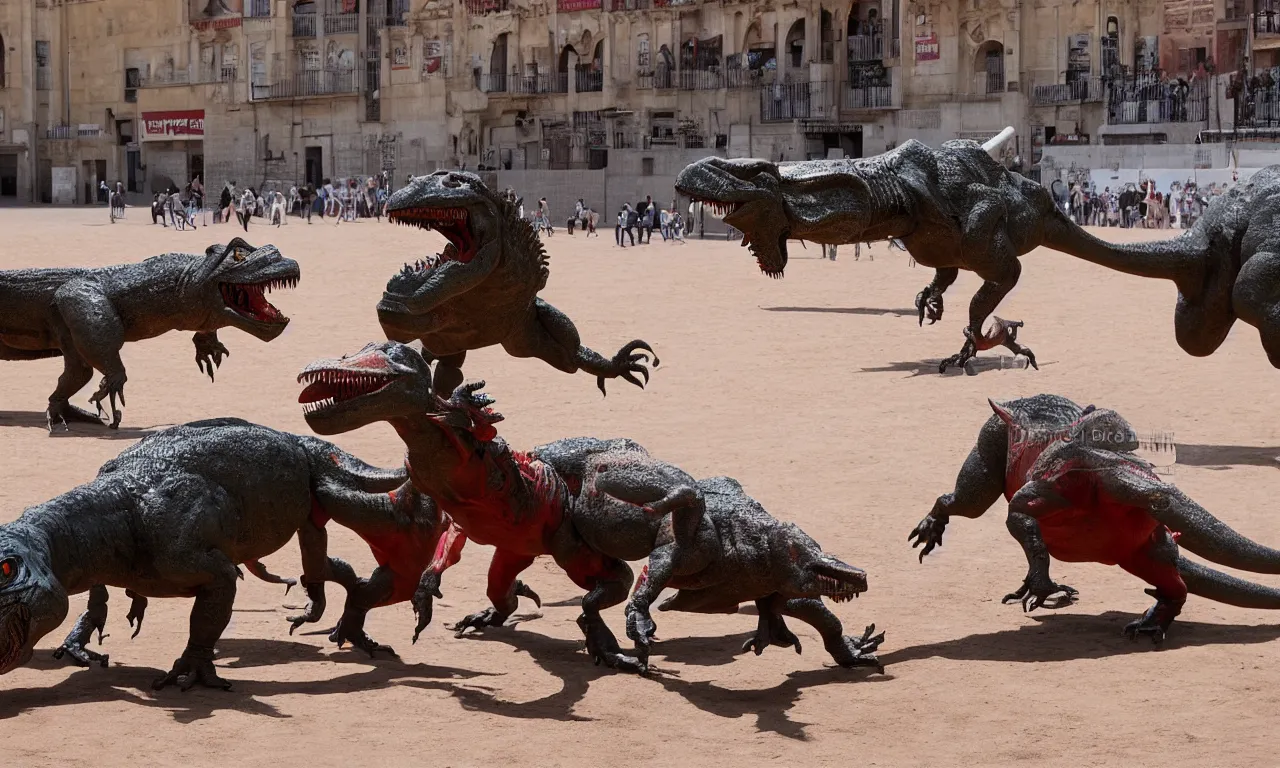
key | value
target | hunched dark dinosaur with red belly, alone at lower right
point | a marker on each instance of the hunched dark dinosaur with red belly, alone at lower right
(1077, 493)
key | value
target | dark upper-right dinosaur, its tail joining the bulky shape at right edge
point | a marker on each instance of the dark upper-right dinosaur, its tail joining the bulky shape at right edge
(957, 208)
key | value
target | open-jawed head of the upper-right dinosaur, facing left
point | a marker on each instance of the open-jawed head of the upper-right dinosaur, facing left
(748, 194)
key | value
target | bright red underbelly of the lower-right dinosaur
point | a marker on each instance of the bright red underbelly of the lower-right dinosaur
(1098, 534)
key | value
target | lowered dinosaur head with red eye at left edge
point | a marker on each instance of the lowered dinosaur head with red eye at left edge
(33, 602)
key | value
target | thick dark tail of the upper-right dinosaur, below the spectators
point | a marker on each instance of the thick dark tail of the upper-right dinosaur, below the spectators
(1174, 259)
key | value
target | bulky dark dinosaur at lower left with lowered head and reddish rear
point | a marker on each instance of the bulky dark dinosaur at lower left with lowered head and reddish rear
(180, 511)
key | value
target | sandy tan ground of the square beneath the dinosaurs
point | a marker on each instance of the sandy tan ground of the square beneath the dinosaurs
(820, 394)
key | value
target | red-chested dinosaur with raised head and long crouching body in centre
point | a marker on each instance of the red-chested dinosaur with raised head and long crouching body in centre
(591, 505)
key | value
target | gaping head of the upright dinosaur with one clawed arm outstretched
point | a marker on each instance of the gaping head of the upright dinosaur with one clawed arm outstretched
(459, 207)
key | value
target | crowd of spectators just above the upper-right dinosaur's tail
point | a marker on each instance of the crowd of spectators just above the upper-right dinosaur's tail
(1142, 205)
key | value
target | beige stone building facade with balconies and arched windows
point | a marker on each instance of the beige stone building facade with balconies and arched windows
(620, 93)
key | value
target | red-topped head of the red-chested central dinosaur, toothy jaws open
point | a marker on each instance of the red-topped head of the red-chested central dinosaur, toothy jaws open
(380, 383)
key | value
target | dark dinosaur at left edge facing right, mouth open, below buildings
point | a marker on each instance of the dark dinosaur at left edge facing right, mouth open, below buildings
(86, 316)
